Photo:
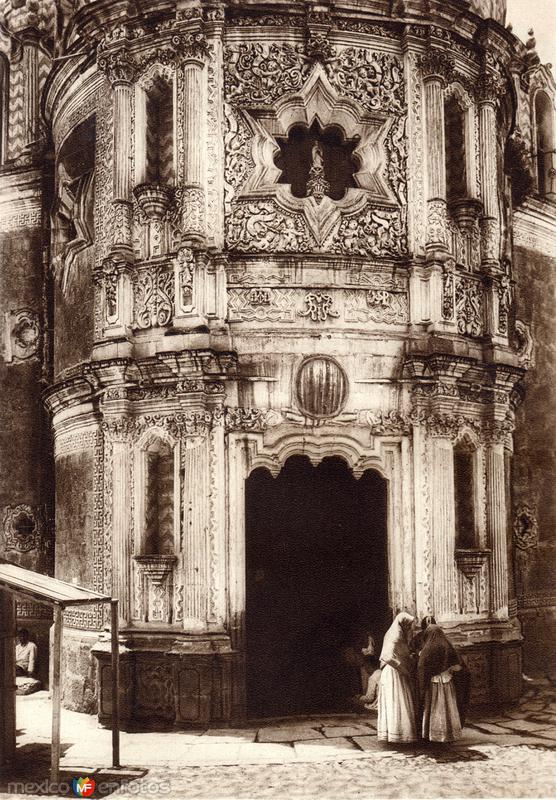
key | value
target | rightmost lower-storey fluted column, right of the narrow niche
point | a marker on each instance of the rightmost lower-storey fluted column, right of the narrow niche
(497, 521)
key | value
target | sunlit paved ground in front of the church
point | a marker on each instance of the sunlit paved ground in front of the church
(510, 753)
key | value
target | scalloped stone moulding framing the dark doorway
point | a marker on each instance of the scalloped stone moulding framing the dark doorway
(389, 456)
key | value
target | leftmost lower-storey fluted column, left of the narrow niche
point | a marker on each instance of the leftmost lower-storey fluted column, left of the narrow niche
(121, 545)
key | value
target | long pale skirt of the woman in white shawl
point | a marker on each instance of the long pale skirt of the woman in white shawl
(396, 708)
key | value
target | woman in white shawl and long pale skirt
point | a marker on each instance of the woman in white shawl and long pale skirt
(397, 719)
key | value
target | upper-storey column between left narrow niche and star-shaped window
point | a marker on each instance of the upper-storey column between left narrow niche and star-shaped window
(193, 136)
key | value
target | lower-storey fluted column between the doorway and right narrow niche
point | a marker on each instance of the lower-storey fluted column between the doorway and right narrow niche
(443, 528)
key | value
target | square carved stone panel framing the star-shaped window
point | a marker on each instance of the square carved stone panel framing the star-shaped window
(335, 90)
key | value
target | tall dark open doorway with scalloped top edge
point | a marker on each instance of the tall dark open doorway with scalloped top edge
(317, 583)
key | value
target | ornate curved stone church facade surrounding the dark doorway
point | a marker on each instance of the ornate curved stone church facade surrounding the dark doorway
(202, 316)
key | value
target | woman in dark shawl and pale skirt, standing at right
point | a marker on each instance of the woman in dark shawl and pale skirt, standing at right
(443, 682)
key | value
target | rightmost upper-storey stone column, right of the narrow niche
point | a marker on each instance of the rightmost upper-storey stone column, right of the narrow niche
(487, 92)
